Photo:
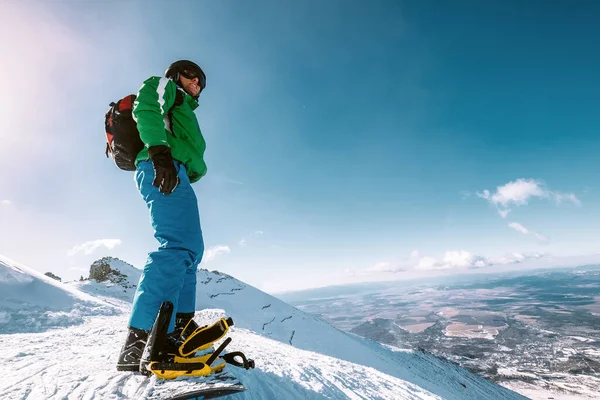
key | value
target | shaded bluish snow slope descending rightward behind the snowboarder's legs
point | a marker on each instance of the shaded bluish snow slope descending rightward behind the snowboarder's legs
(259, 312)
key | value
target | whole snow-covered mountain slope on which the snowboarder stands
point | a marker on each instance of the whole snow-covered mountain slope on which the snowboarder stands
(297, 355)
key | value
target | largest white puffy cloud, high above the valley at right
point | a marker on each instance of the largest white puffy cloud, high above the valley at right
(519, 192)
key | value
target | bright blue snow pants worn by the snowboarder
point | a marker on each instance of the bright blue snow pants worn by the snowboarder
(170, 271)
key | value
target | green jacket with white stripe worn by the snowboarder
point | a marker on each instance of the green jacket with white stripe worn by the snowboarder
(150, 109)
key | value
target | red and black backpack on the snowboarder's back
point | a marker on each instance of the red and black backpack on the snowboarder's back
(123, 141)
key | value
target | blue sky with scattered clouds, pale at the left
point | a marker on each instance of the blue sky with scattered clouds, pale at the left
(346, 141)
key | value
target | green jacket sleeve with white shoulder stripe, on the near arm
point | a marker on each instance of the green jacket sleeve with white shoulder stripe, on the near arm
(153, 101)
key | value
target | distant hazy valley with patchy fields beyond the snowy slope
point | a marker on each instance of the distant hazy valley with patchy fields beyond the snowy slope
(536, 333)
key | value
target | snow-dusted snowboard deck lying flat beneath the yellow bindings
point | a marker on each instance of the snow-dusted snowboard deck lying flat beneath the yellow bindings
(200, 388)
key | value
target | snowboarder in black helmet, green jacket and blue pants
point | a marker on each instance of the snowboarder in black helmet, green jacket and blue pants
(172, 159)
